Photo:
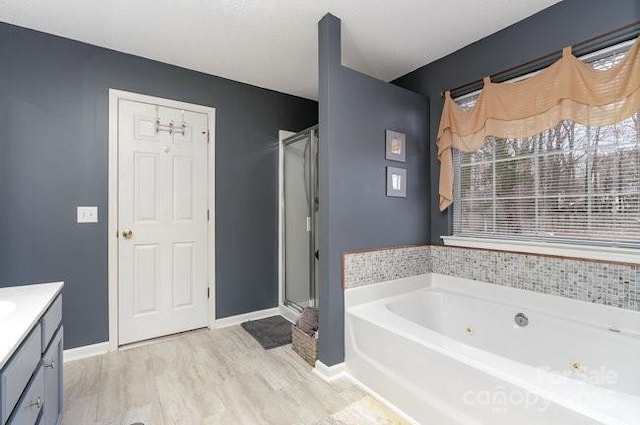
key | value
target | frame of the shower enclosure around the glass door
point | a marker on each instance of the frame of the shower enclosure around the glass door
(286, 139)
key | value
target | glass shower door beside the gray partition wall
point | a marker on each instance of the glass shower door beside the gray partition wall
(299, 219)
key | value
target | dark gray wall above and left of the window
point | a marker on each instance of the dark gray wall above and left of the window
(566, 23)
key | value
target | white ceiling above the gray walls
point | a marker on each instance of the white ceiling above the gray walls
(273, 43)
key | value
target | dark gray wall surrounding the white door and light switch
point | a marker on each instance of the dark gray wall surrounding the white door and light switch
(53, 157)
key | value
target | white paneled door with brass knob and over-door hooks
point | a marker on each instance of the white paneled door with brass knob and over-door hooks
(162, 220)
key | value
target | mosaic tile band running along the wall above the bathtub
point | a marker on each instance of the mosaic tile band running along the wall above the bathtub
(613, 284)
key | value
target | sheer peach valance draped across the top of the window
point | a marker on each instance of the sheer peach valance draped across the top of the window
(569, 89)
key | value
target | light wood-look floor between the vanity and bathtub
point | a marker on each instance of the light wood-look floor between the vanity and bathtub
(210, 377)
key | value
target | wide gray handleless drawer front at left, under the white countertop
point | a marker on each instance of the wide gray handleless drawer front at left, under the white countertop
(16, 374)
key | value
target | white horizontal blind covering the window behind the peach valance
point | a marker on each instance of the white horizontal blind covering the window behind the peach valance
(570, 183)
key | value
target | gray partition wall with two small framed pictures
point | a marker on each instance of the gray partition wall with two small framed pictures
(355, 110)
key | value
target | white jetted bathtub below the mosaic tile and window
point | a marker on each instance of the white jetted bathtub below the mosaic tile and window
(451, 353)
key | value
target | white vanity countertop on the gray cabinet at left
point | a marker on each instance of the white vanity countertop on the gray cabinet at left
(20, 309)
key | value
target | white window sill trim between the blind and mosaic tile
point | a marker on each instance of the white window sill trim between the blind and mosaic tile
(589, 252)
